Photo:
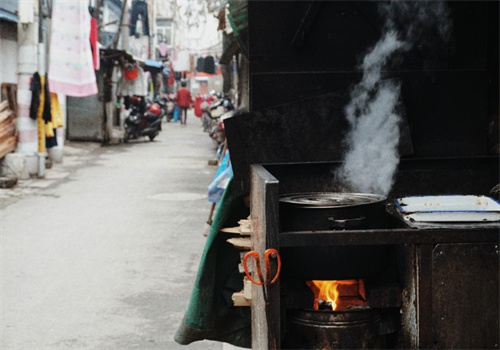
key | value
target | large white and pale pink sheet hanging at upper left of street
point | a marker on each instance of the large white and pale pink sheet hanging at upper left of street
(71, 68)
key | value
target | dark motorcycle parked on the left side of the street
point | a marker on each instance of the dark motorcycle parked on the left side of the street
(148, 123)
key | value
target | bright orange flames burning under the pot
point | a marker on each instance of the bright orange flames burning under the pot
(329, 291)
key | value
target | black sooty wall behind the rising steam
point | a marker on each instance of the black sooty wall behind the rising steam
(448, 81)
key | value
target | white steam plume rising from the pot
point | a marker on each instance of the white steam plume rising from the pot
(372, 143)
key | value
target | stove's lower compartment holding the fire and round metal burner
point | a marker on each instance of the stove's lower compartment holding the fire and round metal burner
(355, 313)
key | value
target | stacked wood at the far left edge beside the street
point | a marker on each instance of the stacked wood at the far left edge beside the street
(8, 132)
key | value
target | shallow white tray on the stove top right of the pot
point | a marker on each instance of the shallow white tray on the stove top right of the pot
(450, 208)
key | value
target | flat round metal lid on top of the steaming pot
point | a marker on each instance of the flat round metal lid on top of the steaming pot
(330, 199)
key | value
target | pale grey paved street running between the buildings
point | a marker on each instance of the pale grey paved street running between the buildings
(103, 252)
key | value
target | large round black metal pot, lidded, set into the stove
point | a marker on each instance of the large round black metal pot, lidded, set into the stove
(324, 211)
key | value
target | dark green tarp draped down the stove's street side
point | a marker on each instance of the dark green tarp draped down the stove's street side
(210, 313)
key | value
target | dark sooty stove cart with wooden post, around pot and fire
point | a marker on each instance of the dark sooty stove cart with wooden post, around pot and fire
(439, 287)
